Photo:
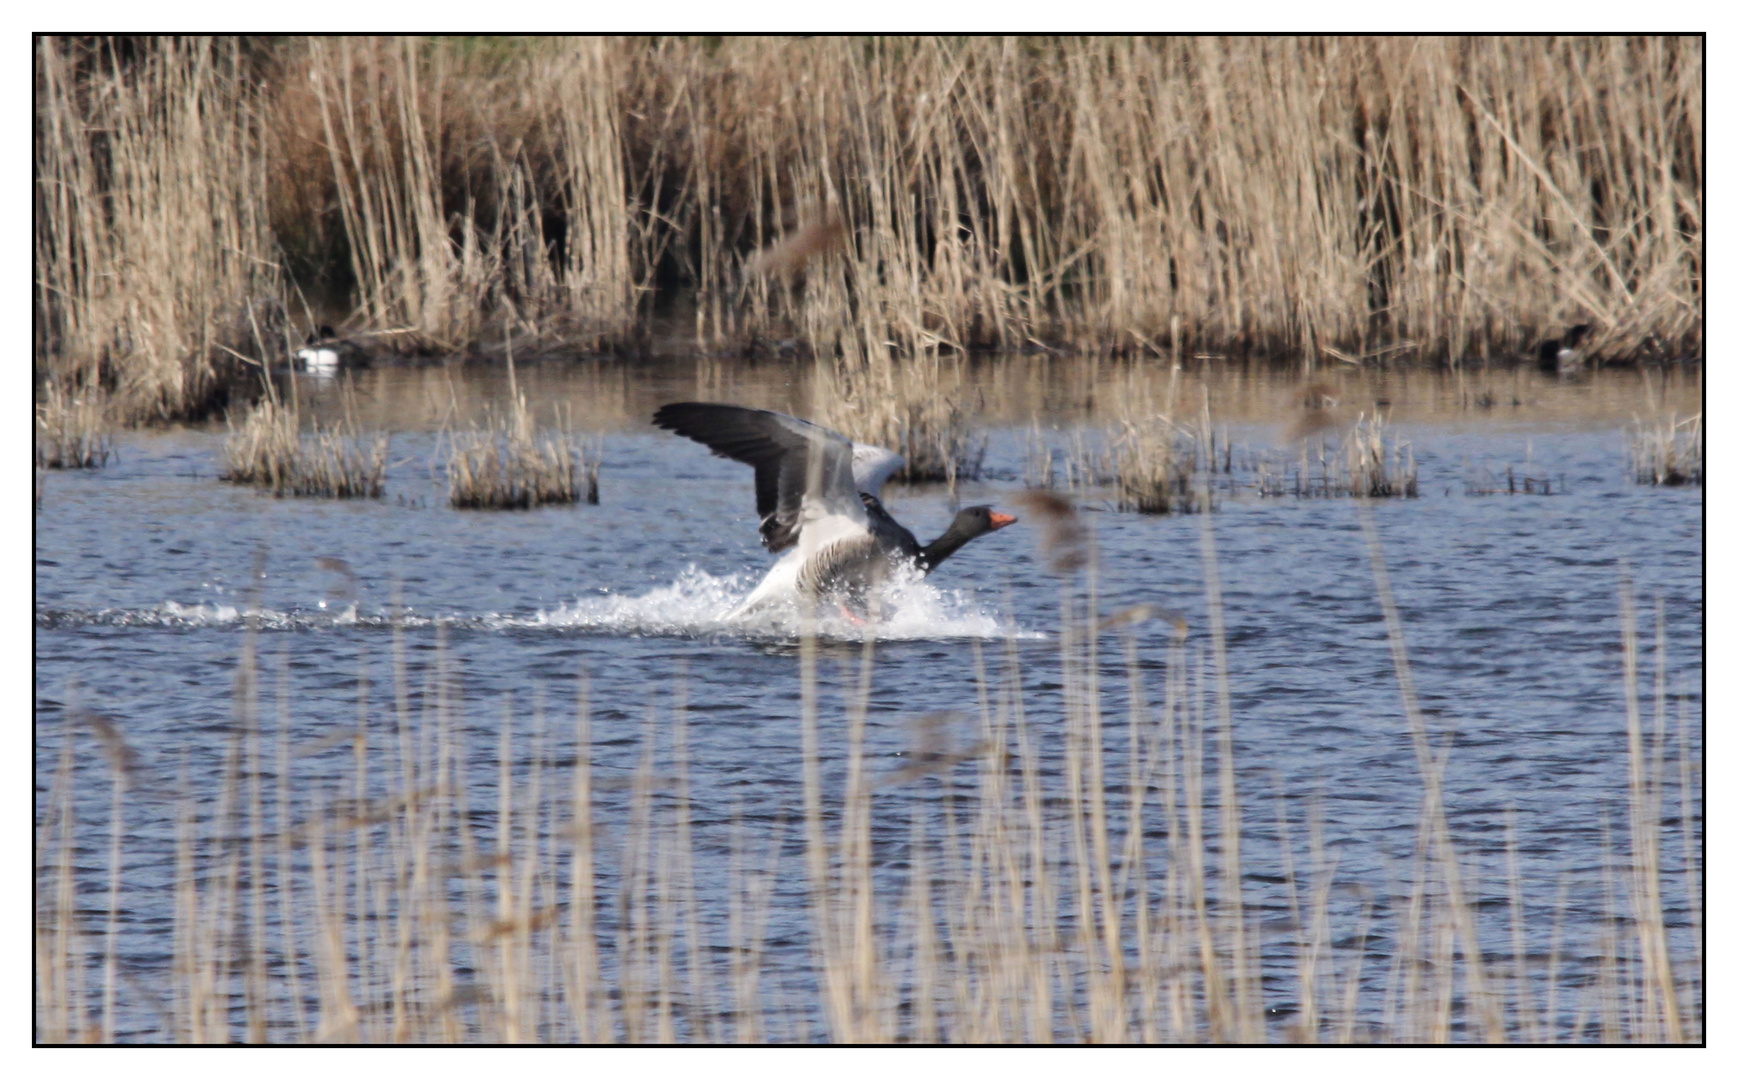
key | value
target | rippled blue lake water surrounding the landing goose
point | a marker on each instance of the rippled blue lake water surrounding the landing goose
(404, 610)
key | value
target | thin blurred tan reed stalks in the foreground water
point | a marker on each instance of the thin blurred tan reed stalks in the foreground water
(1080, 890)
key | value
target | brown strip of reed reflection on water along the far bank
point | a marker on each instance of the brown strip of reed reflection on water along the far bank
(606, 396)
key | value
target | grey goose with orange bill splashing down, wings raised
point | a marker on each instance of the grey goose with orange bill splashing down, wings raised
(819, 498)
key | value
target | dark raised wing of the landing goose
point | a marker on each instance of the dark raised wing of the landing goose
(778, 446)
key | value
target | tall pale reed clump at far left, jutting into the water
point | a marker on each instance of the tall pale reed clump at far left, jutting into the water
(156, 262)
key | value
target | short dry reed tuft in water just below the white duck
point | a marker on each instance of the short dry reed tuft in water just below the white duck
(336, 463)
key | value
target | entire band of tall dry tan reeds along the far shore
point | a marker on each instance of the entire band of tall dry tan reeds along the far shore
(877, 199)
